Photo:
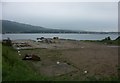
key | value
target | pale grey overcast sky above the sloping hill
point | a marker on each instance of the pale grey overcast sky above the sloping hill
(89, 16)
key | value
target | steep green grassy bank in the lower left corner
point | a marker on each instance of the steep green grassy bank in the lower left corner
(14, 69)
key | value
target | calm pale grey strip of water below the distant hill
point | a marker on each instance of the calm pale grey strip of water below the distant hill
(62, 36)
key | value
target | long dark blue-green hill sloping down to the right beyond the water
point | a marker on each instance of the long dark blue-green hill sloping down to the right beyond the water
(15, 27)
